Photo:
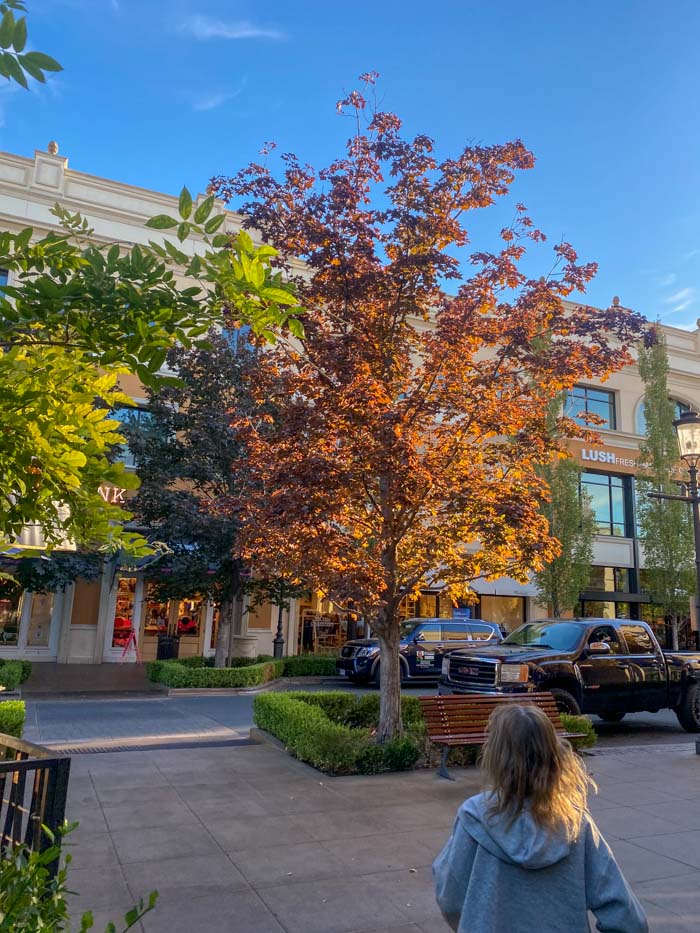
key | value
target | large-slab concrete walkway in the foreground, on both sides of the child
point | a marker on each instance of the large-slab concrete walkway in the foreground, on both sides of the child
(248, 840)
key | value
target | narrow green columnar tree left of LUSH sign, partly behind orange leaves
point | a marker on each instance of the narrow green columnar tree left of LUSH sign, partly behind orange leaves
(571, 521)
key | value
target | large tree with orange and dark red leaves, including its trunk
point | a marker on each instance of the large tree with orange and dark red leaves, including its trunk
(413, 418)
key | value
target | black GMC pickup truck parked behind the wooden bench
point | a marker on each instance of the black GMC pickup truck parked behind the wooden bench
(604, 666)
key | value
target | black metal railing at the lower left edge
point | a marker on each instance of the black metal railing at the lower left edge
(33, 790)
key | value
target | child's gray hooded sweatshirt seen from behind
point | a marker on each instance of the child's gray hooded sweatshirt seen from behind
(492, 878)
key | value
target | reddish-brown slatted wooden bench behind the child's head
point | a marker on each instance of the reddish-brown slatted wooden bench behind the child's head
(460, 720)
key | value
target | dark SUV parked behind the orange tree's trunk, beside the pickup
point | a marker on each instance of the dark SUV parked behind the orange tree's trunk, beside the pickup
(424, 643)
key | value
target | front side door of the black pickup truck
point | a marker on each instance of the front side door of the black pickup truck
(607, 680)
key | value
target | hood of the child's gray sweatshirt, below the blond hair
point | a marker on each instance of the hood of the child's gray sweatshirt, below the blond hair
(524, 843)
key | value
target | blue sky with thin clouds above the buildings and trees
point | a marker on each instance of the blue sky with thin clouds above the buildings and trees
(606, 94)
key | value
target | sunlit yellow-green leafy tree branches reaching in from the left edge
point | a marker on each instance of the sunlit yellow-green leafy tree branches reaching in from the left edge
(77, 315)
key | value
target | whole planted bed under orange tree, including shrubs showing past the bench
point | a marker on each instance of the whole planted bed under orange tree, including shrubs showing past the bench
(336, 732)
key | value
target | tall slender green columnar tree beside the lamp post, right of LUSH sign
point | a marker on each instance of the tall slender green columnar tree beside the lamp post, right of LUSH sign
(665, 529)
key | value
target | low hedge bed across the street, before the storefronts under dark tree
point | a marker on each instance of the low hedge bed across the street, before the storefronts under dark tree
(244, 672)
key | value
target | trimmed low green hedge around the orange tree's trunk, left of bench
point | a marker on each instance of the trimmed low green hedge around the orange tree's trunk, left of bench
(313, 727)
